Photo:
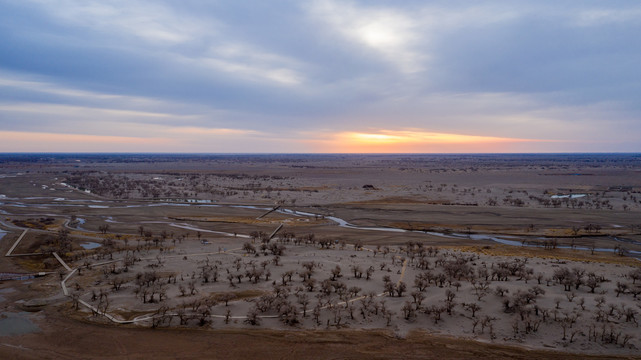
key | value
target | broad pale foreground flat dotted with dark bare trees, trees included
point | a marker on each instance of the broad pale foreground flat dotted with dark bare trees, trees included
(549, 303)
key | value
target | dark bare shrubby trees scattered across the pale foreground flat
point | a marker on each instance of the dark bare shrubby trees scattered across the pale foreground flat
(446, 283)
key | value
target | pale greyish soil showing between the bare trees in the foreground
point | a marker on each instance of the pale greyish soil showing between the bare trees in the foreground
(548, 336)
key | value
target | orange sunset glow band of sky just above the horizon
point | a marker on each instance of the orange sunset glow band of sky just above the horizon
(231, 140)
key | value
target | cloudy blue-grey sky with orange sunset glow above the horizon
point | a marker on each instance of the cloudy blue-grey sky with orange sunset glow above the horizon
(320, 76)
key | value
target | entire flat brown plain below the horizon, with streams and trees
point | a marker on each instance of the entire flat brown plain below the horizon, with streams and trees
(370, 256)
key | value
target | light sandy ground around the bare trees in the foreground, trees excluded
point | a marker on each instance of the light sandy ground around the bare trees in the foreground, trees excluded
(336, 314)
